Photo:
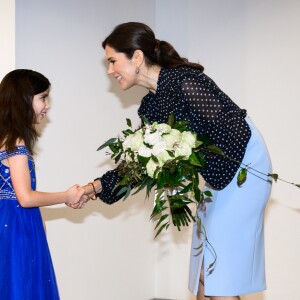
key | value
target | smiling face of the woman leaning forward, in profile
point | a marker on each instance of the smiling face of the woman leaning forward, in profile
(121, 68)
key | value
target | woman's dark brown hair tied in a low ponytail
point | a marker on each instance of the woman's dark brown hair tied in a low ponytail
(131, 36)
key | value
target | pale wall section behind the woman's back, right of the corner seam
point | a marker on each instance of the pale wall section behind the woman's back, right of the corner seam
(251, 49)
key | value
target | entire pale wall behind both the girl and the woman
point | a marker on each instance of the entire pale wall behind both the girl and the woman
(251, 50)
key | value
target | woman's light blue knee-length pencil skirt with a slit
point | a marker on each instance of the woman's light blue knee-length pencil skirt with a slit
(234, 225)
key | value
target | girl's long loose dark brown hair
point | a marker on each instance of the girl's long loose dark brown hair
(17, 116)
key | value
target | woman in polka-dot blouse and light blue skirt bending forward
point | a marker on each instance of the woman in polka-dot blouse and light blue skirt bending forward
(233, 221)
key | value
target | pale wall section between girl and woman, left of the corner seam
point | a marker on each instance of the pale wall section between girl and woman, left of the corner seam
(101, 252)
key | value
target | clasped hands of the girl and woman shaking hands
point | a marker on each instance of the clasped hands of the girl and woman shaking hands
(79, 195)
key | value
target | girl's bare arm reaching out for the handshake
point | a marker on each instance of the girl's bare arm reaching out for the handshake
(27, 197)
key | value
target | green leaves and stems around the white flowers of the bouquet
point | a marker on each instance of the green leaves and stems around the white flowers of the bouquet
(175, 181)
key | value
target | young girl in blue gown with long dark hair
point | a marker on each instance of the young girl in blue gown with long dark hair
(26, 270)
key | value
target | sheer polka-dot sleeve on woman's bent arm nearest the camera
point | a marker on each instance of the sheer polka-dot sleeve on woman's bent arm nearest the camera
(212, 112)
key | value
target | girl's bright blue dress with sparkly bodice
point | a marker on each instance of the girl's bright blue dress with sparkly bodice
(26, 270)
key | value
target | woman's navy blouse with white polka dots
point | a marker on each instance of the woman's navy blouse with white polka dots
(194, 97)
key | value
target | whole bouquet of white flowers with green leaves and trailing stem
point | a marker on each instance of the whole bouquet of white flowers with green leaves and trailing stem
(166, 157)
